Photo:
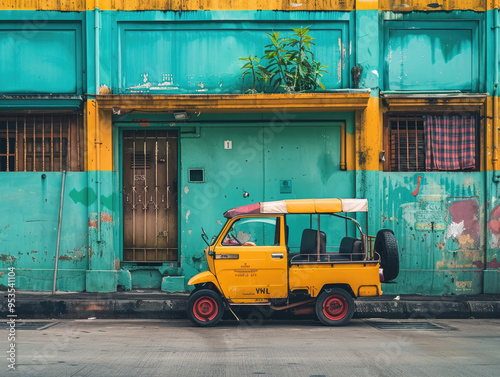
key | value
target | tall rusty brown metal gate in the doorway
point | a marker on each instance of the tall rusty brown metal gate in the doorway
(150, 196)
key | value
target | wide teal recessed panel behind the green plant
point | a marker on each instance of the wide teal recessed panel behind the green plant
(158, 57)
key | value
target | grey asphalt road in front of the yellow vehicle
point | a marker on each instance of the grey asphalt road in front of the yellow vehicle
(270, 348)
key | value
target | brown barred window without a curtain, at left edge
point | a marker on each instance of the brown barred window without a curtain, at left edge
(41, 143)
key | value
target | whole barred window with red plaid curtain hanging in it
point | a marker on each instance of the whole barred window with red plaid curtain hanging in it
(431, 142)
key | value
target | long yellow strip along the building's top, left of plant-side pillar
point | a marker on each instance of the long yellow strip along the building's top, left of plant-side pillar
(177, 5)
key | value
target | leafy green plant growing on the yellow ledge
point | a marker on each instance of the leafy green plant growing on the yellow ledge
(291, 65)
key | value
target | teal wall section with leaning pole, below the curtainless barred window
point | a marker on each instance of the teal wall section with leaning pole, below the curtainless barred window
(28, 230)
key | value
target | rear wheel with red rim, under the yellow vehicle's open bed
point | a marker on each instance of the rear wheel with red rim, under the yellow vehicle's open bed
(334, 307)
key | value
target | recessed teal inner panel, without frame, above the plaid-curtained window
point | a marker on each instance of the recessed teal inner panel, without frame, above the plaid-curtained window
(427, 56)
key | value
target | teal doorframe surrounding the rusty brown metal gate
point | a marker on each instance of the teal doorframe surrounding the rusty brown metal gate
(118, 129)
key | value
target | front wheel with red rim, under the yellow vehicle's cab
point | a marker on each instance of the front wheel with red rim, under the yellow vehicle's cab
(205, 308)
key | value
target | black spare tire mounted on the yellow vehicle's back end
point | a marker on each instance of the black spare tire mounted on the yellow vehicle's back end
(387, 247)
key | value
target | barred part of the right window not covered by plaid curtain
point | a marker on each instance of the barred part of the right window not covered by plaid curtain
(405, 143)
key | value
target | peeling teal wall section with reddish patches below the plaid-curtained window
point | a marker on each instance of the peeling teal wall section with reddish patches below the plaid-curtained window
(439, 226)
